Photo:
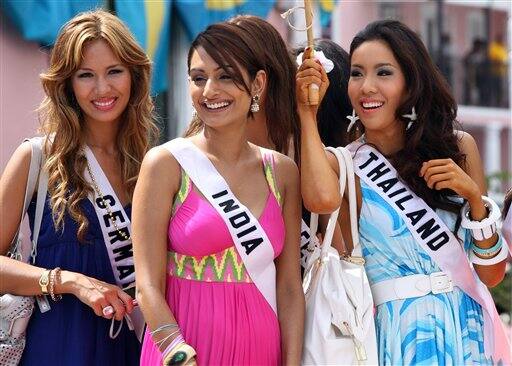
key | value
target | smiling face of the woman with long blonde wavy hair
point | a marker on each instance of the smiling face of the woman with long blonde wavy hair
(102, 84)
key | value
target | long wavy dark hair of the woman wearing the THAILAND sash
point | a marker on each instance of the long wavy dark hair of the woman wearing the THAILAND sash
(432, 135)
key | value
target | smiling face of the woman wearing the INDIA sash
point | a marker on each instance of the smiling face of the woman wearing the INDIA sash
(215, 96)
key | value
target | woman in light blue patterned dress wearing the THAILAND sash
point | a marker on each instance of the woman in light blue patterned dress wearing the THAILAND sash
(415, 173)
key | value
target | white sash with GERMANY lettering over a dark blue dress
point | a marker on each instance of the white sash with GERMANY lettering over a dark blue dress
(120, 250)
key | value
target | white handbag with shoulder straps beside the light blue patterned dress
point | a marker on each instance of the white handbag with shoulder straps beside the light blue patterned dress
(339, 325)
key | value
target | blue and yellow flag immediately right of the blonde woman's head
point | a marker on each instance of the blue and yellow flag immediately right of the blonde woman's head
(149, 21)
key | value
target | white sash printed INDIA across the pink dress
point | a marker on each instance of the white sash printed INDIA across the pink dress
(250, 239)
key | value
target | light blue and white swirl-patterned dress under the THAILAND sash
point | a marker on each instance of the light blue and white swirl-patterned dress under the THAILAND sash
(442, 329)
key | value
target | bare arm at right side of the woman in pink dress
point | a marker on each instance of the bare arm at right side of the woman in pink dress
(290, 297)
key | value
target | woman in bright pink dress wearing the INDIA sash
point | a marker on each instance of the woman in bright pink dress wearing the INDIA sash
(193, 283)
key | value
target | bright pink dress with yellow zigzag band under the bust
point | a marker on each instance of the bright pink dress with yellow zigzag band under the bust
(220, 312)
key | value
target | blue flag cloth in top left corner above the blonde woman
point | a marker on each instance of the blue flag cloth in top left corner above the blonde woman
(41, 20)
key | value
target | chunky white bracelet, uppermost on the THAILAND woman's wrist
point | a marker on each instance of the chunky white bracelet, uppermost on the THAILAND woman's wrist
(486, 228)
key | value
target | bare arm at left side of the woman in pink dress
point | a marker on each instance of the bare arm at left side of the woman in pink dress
(156, 186)
